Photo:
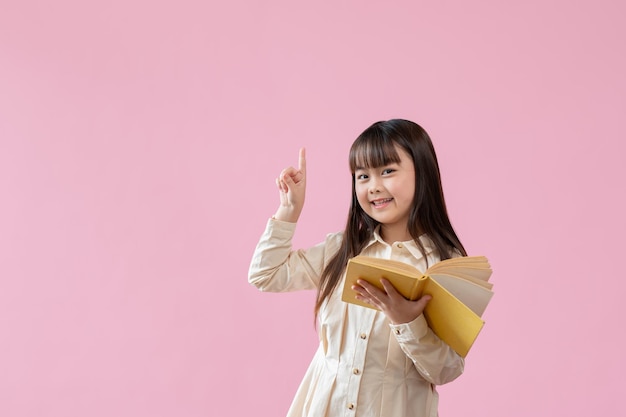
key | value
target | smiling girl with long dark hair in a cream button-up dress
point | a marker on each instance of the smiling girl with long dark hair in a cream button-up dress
(370, 363)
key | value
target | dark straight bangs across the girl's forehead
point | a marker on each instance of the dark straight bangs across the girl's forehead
(372, 151)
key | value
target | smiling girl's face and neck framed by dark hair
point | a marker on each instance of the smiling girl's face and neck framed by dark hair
(386, 194)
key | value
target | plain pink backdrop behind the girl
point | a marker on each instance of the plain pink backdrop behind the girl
(139, 142)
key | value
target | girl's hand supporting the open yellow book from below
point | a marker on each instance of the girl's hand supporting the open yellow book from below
(398, 309)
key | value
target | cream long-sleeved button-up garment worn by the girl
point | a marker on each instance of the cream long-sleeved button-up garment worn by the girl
(364, 366)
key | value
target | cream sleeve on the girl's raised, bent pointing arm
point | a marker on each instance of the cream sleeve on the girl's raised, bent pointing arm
(276, 267)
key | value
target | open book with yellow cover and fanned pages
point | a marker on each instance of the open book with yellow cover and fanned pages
(459, 287)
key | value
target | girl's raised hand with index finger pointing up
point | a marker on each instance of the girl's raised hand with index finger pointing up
(292, 186)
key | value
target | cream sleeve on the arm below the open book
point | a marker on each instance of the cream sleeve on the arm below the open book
(433, 359)
